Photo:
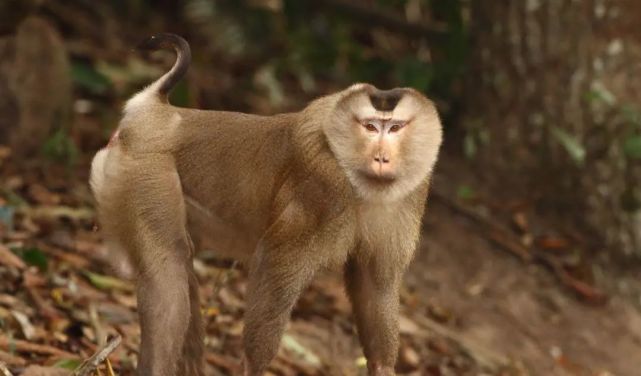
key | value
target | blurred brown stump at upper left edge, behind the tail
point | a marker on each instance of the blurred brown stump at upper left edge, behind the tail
(35, 86)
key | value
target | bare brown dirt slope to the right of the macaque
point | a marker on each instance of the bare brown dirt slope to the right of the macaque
(520, 311)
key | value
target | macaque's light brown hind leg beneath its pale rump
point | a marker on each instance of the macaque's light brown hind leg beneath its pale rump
(167, 292)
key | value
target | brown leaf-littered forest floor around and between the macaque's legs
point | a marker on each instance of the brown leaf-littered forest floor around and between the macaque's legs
(469, 307)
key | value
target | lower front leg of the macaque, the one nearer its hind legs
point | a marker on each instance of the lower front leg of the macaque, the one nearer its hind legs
(277, 278)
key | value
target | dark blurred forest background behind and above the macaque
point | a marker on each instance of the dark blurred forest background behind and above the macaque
(540, 101)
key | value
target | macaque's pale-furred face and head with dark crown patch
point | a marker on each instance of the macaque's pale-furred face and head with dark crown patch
(387, 141)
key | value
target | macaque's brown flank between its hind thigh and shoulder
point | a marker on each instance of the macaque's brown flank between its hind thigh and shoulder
(232, 163)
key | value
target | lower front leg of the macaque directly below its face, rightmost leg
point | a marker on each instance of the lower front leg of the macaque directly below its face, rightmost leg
(374, 292)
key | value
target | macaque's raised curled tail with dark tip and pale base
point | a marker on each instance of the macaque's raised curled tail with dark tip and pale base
(162, 86)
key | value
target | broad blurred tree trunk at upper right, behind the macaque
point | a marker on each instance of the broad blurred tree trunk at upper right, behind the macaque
(552, 98)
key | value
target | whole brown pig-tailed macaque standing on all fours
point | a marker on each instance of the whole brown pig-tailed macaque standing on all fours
(342, 183)
